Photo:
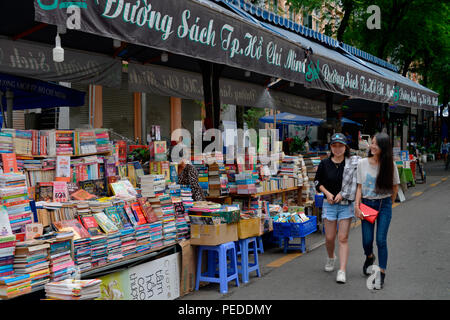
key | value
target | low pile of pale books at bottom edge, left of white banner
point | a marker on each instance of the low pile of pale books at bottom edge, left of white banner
(71, 289)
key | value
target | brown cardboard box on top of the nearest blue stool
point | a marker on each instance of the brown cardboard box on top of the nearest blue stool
(212, 235)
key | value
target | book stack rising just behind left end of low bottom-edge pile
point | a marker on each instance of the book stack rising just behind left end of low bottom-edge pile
(61, 262)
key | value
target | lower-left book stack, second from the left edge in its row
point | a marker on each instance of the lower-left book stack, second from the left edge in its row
(31, 258)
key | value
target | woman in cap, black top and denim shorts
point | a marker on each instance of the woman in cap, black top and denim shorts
(336, 209)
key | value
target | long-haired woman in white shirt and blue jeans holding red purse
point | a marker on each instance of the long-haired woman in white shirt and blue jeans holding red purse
(378, 180)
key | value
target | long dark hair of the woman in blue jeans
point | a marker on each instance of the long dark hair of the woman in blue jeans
(385, 178)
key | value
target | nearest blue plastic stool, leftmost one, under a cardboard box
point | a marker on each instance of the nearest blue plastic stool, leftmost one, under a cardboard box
(217, 257)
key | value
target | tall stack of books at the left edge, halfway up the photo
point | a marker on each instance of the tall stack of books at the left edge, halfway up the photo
(14, 198)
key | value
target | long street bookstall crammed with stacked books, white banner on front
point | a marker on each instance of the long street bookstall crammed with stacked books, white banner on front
(73, 211)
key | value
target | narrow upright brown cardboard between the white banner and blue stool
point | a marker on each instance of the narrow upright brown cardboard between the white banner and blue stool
(188, 267)
